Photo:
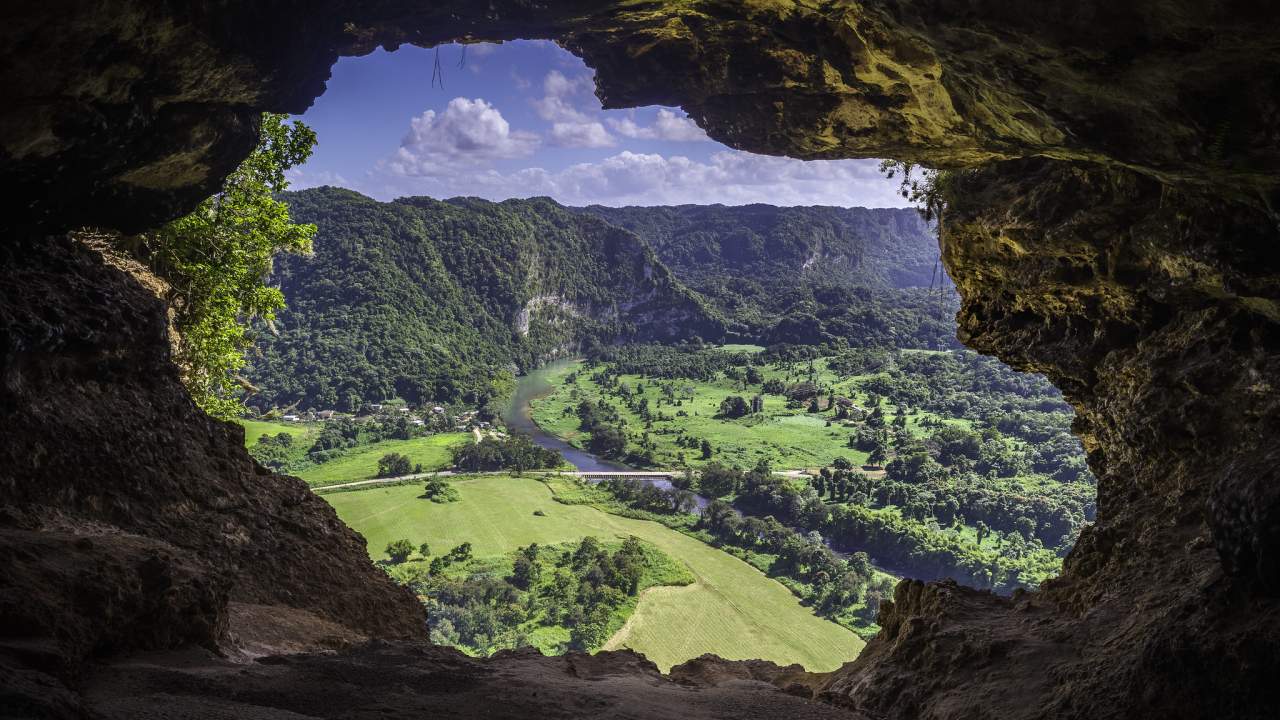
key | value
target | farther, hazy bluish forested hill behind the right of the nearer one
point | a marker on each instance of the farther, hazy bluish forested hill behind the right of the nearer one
(806, 276)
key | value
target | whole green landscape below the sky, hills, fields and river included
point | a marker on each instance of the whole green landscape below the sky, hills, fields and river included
(789, 367)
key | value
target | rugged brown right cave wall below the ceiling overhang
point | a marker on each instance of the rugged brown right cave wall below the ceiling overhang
(1155, 311)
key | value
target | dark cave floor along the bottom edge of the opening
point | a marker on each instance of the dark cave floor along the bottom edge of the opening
(394, 681)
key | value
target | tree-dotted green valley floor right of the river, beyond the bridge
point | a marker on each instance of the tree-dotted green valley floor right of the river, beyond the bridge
(971, 475)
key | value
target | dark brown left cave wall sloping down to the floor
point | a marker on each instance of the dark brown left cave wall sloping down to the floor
(129, 518)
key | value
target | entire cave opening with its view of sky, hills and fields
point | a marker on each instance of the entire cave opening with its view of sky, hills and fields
(935, 464)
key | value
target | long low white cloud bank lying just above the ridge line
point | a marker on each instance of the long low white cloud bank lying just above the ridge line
(637, 179)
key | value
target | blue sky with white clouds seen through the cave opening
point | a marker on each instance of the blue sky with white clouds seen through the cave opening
(520, 120)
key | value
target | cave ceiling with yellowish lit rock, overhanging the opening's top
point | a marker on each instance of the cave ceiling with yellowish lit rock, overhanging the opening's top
(131, 112)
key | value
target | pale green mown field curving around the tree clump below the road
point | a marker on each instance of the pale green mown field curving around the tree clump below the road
(732, 610)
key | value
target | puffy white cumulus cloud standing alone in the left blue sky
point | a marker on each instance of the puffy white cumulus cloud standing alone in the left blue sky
(468, 133)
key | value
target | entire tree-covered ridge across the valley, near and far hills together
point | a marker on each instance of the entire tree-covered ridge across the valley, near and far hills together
(440, 302)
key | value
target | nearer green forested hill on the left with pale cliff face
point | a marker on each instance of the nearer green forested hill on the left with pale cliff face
(438, 300)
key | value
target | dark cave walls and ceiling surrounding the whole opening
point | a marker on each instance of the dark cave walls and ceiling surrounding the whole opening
(1112, 225)
